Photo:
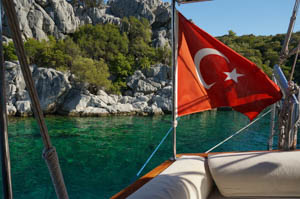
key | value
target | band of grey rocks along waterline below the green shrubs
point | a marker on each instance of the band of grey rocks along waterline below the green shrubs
(150, 93)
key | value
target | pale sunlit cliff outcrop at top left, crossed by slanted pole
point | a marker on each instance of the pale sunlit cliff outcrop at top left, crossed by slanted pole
(39, 18)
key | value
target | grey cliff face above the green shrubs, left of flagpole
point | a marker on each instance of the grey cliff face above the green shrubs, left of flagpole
(40, 18)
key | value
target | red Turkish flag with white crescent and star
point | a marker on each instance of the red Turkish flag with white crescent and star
(210, 74)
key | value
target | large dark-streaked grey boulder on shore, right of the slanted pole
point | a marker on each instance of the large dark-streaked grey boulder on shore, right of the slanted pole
(51, 86)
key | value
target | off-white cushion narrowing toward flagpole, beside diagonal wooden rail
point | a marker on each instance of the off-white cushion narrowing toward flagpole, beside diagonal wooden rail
(186, 178)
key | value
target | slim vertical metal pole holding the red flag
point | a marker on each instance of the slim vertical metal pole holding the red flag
(174, 79)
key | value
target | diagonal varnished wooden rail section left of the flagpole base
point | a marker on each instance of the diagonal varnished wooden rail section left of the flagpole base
(143, 180)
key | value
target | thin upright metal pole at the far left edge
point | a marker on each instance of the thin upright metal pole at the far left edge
(5, 157)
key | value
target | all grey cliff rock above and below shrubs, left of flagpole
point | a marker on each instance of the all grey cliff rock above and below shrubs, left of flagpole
(149, 91)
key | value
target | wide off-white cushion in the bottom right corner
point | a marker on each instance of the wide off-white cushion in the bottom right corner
(257, 173)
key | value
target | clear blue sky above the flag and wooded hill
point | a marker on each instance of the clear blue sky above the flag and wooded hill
(258, 17)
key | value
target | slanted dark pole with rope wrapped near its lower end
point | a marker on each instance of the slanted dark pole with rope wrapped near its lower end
(49, 152)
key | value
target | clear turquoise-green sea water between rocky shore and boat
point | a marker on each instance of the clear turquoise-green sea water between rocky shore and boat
(100, 156)
